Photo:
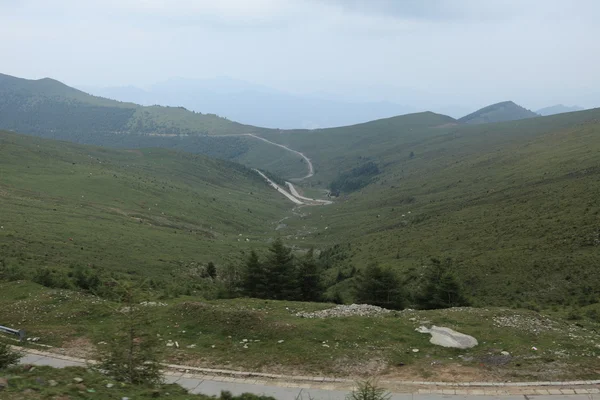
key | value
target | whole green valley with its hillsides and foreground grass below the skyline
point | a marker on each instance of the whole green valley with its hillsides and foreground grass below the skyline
(160, 195)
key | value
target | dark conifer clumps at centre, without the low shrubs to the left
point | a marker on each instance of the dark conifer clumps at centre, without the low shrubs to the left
(281, 276)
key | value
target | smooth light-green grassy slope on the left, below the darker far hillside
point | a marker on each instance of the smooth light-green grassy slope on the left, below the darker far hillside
(149, 210)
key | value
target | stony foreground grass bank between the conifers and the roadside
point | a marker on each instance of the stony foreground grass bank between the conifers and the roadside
(247, 334)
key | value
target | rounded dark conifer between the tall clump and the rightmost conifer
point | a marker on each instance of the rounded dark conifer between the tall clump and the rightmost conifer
(379, 286)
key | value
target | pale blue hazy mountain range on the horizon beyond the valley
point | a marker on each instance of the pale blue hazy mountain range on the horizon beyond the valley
(253, 104)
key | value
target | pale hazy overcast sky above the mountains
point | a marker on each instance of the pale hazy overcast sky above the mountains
(463, 52)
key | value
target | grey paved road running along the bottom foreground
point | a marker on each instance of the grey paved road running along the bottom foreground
(283, 391)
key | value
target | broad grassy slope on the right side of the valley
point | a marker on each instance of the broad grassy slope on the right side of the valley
(515, 203)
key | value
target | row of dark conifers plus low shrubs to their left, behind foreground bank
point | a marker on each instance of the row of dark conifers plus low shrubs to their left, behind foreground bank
(280, 275)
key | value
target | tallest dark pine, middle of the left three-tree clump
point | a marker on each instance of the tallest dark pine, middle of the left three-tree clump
(280, 273)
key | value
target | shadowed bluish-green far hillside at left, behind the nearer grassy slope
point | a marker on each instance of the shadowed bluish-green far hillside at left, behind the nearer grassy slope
(50, 109)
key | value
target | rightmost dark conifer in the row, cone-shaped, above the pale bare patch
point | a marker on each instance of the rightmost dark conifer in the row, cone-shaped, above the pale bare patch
(441, 287)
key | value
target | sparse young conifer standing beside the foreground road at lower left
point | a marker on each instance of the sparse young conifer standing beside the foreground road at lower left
(131, 354)
